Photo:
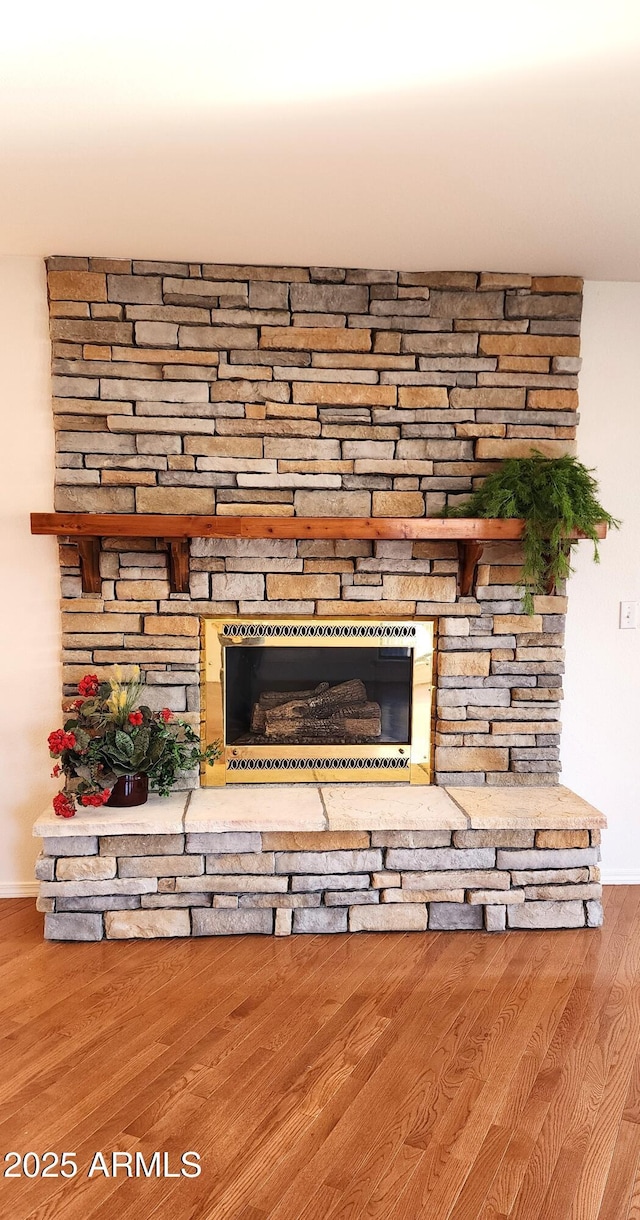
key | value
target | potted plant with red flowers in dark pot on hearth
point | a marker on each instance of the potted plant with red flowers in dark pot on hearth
(114, 746)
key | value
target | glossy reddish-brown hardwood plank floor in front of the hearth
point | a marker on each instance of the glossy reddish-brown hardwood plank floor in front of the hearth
(447, 1077)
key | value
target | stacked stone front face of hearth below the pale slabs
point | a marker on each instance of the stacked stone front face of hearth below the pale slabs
(129, 886)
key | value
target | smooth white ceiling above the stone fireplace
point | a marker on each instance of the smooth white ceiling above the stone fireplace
(503, 136)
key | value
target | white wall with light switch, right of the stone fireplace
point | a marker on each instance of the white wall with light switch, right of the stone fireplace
(602, 716)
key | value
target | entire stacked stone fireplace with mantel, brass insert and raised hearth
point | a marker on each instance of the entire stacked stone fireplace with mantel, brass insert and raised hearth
(303, 428)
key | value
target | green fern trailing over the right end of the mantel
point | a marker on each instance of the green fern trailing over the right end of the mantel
(555, 496)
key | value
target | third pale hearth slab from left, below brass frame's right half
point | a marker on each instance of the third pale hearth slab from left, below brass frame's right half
(391, 807)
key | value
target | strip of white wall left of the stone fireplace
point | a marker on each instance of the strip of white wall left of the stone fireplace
(30, 623)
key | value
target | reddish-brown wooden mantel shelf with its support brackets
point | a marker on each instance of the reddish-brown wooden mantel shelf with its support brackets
(470, 534)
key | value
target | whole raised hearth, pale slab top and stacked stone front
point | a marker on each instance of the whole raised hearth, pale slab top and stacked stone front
(311, 859)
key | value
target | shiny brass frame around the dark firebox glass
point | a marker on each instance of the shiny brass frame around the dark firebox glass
(408, 762)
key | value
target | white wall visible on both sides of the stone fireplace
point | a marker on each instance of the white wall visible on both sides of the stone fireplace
(602, 737)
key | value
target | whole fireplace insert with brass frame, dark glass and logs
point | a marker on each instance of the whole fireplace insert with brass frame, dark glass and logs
(319, 700)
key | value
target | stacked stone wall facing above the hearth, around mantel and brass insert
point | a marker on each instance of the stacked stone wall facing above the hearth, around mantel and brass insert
(302, 391)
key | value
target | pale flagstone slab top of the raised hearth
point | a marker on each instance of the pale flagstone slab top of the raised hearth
(335, 808)
